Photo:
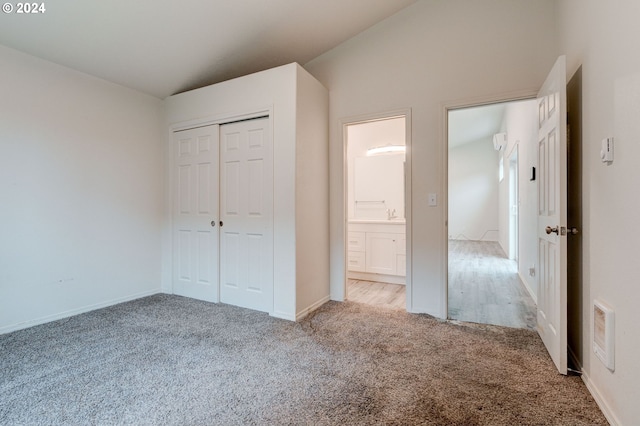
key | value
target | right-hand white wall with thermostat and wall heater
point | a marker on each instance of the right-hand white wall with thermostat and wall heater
(603, 38)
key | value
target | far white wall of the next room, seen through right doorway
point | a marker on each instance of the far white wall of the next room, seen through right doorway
(473, 191)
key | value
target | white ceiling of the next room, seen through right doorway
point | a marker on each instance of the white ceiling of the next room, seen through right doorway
(473, 124)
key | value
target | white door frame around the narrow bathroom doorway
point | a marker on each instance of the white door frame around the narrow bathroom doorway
(343, 124)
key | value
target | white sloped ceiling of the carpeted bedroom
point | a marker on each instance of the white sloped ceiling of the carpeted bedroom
(163, 47)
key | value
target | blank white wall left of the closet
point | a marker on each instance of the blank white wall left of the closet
(81, 190)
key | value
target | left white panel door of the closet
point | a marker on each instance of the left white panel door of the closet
(195, 213)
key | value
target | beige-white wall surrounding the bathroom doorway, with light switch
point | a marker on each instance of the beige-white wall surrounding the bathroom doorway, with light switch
(428, 55)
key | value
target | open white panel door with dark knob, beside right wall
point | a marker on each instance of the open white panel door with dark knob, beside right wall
(552, 214)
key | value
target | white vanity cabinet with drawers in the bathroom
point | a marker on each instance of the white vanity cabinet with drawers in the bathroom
(377, 251)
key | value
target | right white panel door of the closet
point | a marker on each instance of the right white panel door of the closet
(246, 214)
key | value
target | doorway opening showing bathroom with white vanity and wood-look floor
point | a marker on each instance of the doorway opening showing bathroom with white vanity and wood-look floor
(376, 237)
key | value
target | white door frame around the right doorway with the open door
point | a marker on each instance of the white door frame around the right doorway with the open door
(445, 108)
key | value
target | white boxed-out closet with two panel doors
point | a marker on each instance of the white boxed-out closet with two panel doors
(249, 193)
